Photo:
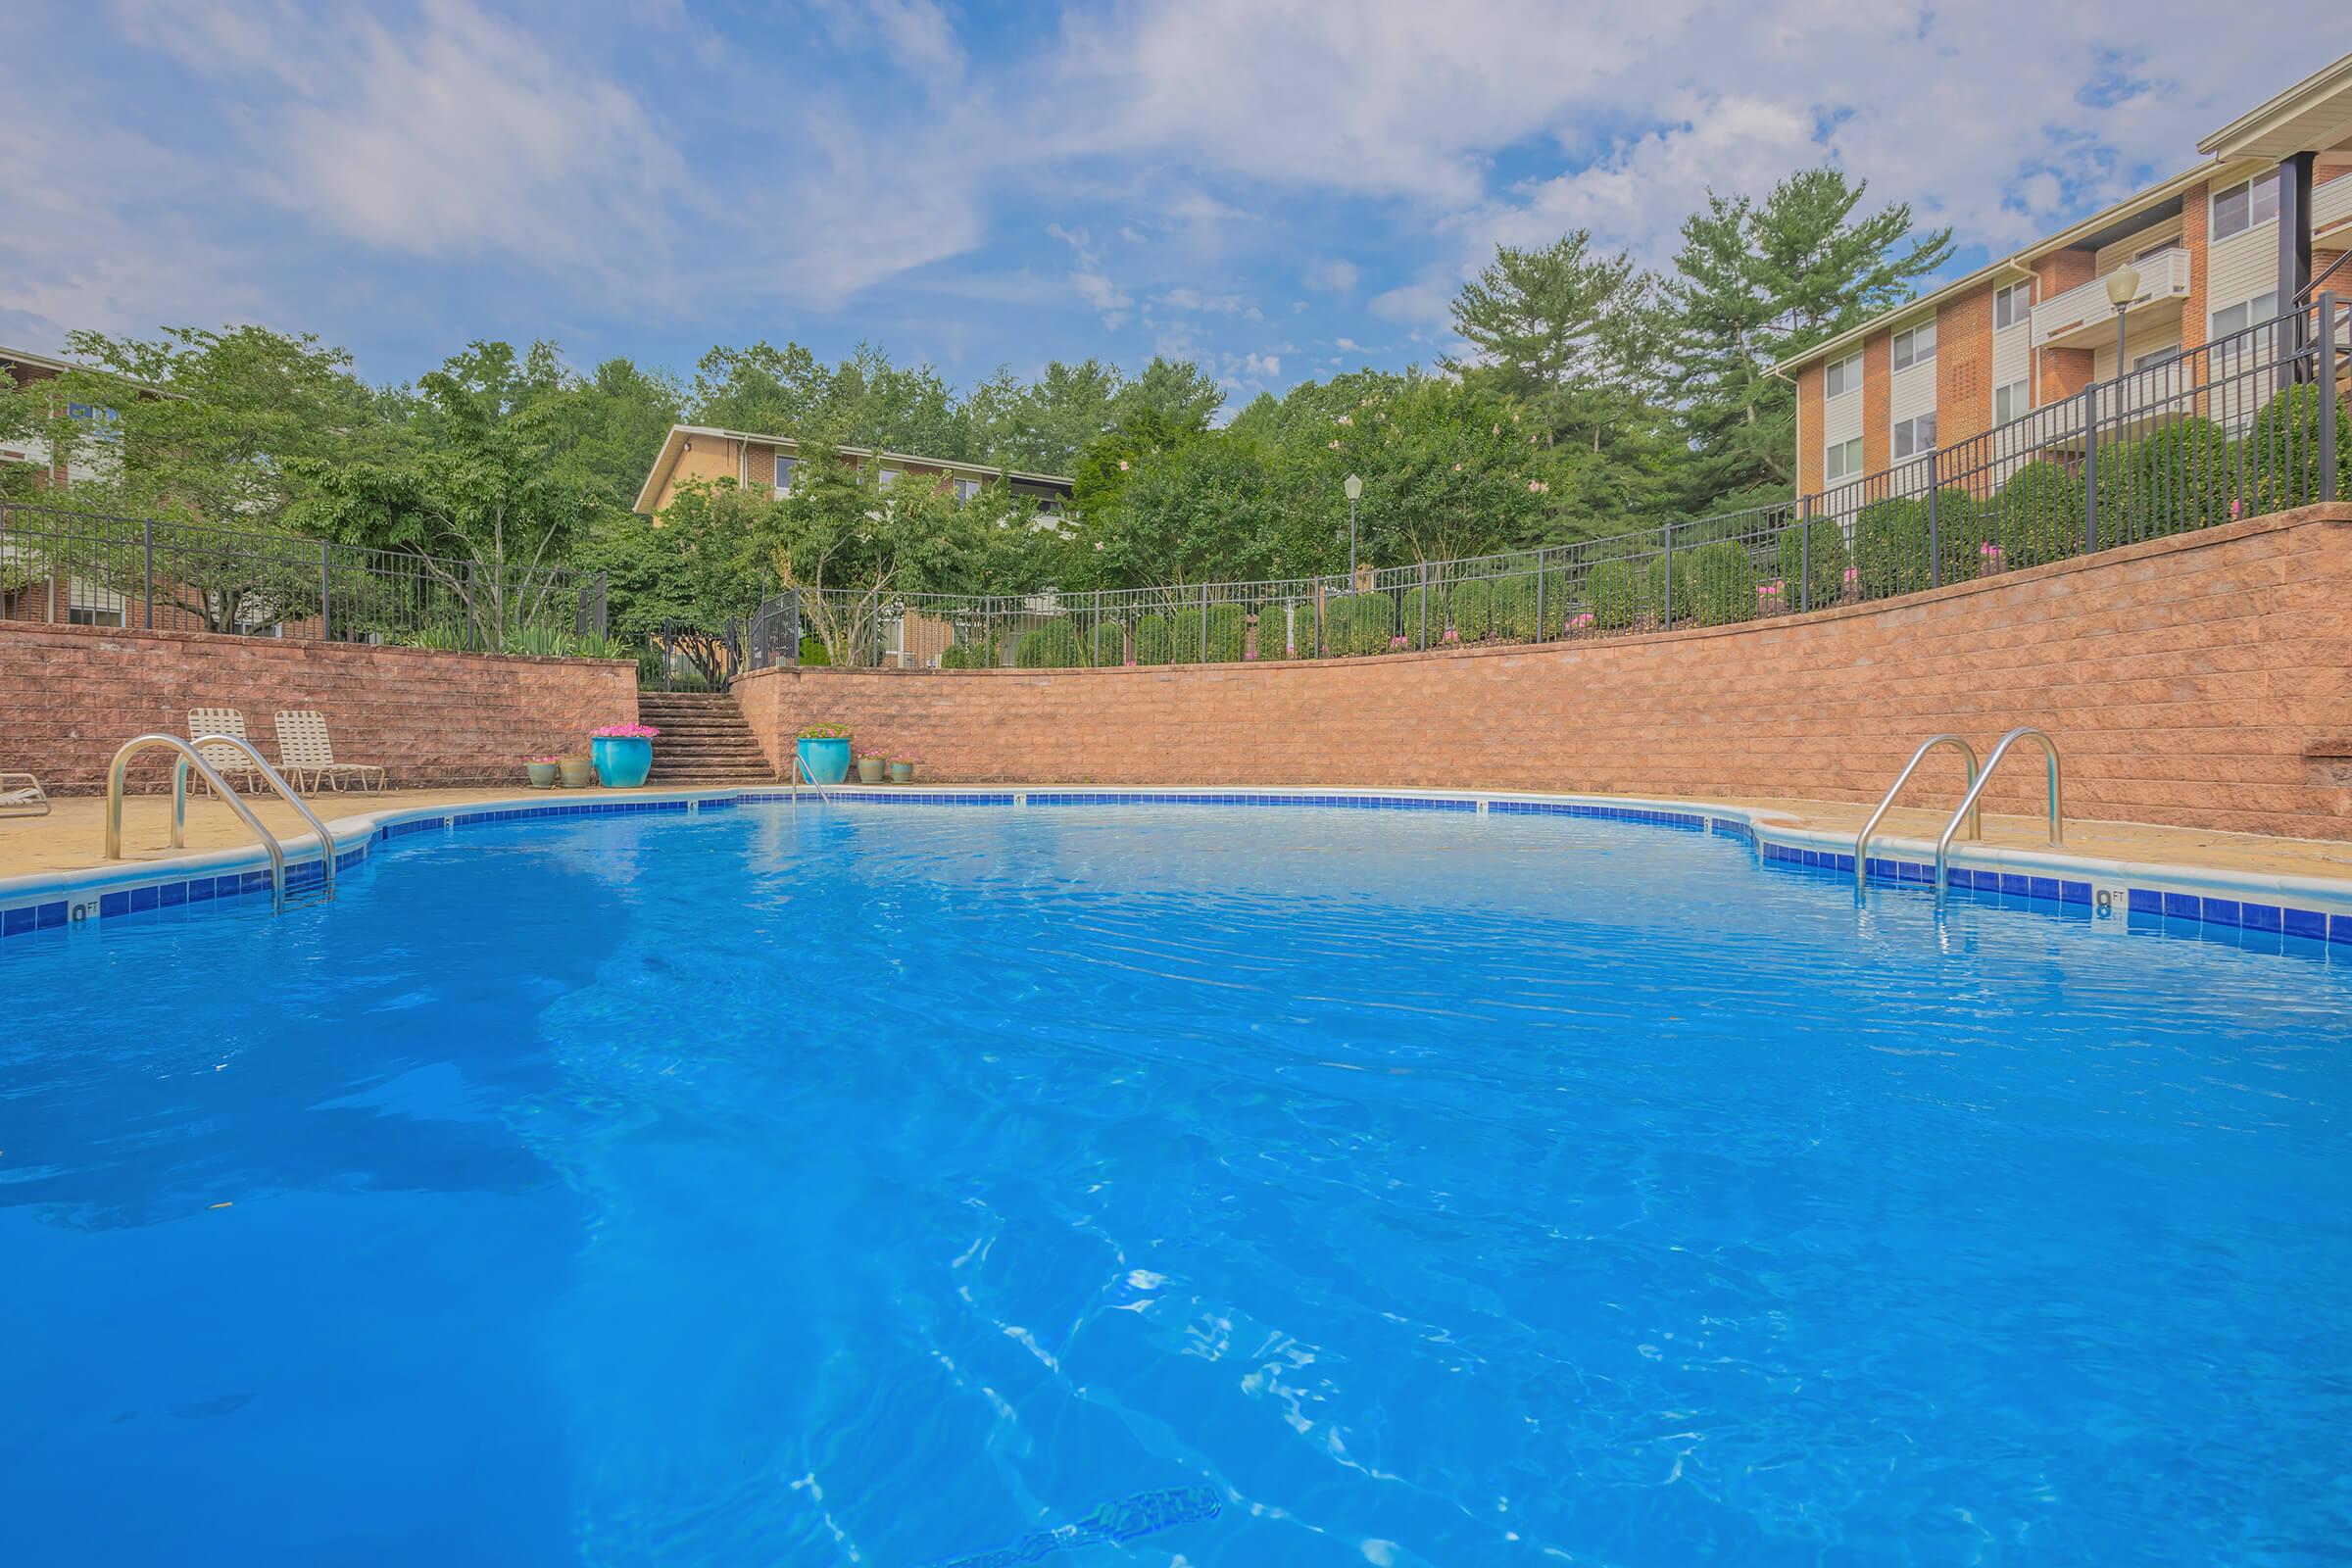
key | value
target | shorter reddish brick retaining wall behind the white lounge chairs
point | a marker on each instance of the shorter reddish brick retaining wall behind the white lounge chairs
(72, 695)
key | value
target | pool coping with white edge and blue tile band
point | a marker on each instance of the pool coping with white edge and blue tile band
(2313, 909)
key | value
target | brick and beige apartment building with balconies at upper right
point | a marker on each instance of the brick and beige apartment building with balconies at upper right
(2219, 248)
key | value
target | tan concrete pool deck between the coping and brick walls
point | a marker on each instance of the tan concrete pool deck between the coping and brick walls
(72, 836)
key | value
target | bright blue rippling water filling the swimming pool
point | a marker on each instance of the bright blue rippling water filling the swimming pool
(980, 1186)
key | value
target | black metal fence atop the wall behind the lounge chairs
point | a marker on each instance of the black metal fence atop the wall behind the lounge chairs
(65, 565)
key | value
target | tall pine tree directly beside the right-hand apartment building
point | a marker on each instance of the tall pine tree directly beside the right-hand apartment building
(1753, 286)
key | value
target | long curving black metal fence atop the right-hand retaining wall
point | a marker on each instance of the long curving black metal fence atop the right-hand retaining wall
(2247, 424)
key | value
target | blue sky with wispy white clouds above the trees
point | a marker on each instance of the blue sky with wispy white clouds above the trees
(1274, 192)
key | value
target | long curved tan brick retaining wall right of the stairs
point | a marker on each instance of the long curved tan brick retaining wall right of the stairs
(2198, 681)
